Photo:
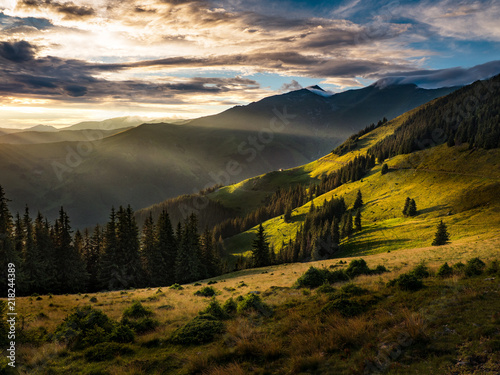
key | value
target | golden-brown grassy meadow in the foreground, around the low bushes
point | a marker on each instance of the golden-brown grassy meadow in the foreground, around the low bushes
(294, 339)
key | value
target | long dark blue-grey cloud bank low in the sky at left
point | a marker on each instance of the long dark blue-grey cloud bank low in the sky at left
(22, 74)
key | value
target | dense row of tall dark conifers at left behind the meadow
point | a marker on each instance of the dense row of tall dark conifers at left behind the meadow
(51, 258)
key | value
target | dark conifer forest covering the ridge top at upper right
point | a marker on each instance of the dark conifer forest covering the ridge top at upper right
(469, 115)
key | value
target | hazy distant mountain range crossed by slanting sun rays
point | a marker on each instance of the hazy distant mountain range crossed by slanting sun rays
(151, 162)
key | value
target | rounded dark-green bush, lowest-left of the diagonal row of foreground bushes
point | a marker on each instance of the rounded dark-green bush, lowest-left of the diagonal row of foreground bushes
(200, 330)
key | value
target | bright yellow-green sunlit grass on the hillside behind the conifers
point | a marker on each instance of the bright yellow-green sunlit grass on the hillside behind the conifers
(457, 185)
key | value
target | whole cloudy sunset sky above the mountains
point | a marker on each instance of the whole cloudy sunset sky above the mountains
(65, 61)
